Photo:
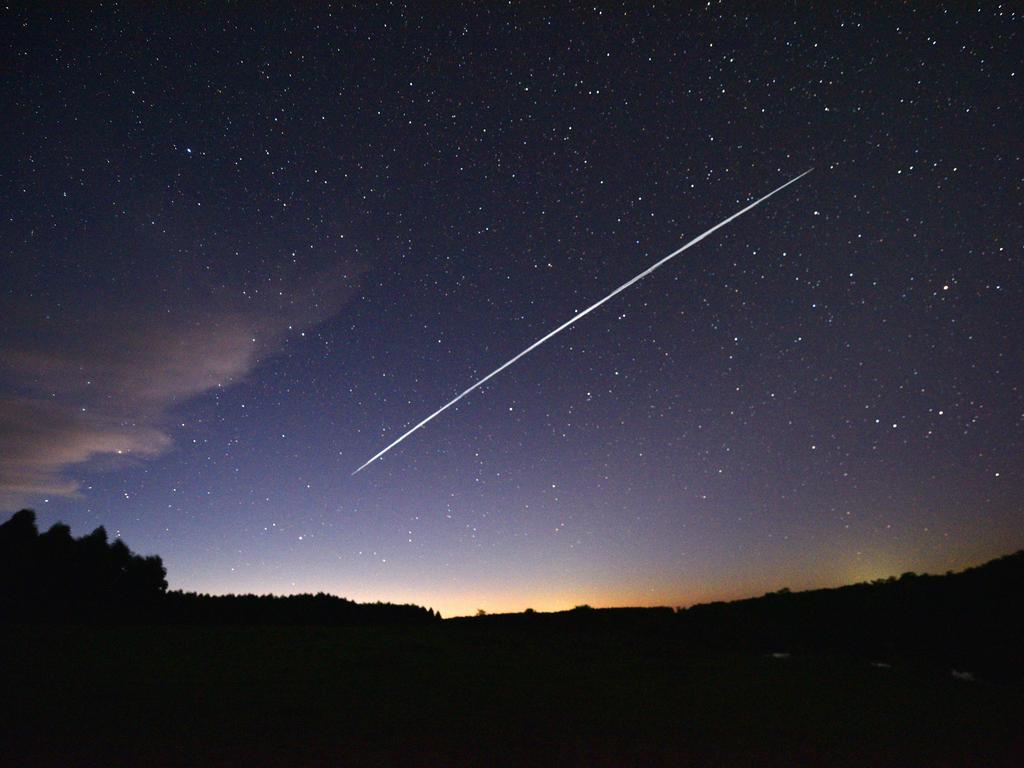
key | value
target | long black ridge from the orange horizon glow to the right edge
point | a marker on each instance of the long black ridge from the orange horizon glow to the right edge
(969, 621)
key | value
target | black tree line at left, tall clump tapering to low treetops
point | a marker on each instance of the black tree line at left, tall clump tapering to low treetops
(54, 578)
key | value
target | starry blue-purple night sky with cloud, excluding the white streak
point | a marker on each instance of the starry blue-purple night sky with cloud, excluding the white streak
(241, 252)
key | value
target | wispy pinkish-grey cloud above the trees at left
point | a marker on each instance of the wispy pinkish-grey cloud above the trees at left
(92, 385)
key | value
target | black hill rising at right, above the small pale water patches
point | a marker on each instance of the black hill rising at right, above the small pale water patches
(967, 621)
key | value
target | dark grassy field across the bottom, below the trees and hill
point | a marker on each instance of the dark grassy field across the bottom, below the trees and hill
(476, 693)
